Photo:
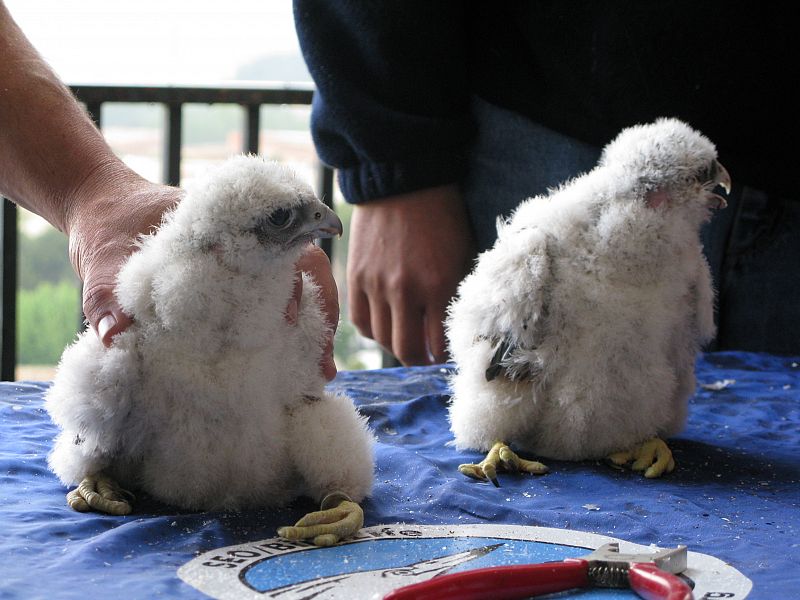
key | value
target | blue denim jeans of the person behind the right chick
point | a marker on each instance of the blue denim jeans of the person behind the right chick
(753, 246)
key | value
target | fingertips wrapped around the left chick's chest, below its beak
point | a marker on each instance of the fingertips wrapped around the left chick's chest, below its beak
(315, 262)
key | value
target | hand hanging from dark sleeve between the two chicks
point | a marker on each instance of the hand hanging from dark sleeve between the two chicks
(407, 255)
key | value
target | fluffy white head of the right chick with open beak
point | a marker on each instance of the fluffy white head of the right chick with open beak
(669, 163)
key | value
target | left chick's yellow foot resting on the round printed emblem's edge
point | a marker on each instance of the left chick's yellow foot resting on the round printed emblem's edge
(338, 518)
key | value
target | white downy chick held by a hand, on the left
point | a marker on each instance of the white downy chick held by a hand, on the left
(212, 399)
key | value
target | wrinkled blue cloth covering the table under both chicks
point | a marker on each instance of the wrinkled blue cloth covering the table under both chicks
(734, 494)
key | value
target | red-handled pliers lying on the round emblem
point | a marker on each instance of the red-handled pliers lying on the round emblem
(651, 576)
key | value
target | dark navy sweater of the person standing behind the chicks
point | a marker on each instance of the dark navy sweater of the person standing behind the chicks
(395, 77)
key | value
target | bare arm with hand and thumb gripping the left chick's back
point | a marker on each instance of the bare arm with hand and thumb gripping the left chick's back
(54, 162)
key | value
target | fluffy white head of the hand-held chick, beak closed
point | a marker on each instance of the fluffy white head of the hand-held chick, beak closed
(252, 209)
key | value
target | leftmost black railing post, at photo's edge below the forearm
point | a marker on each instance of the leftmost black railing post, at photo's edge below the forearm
(8, 311)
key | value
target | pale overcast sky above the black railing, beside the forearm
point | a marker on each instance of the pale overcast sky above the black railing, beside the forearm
(155, 41)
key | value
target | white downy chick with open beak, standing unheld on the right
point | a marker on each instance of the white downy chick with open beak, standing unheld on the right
(575, 336)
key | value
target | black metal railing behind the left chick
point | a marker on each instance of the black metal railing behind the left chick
(250, 97)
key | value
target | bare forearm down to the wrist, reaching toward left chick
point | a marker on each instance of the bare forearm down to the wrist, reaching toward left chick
(53, 160)
